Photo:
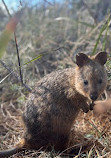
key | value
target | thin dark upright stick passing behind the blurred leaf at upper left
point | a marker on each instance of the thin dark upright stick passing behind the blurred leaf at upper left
(21, 78)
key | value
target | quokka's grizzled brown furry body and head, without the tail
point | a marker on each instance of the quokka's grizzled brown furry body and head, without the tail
(57, 99)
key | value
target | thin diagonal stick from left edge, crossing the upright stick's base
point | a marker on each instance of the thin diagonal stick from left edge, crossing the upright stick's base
(15, 75)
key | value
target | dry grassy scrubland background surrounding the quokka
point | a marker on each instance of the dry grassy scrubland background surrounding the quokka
(57, 31)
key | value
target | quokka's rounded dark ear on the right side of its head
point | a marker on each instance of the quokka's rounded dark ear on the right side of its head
(101, 58)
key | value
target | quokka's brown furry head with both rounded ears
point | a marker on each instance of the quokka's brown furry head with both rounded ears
(90, 75)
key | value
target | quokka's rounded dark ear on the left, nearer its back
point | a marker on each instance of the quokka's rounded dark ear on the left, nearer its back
(81, 59)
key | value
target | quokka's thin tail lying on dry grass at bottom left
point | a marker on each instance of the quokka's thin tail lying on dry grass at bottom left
(19, 147)
